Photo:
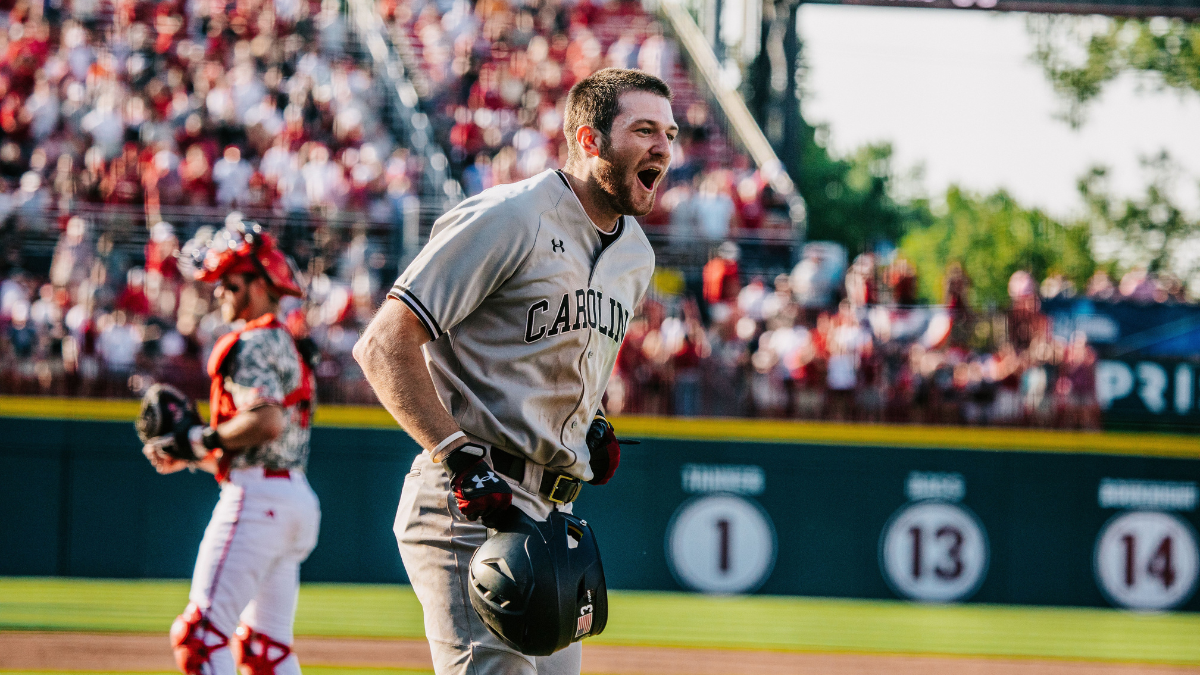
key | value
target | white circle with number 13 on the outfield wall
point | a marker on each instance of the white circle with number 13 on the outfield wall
(934, 552)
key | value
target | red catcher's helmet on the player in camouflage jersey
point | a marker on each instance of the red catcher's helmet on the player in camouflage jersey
(244, 248)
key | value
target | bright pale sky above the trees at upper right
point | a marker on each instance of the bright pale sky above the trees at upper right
(957, 93)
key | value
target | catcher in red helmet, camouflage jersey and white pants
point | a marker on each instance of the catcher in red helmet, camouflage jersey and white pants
(247, 578)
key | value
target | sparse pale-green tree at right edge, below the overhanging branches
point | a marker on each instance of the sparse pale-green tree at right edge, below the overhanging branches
(1150, 231)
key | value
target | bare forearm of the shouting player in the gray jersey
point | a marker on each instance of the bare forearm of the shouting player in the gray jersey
(391, 356)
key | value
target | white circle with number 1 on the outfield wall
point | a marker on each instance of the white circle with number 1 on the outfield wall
(722, 545)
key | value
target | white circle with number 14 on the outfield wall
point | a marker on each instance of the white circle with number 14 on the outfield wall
(1148, 560)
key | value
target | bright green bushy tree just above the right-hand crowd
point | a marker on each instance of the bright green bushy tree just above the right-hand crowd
(992, 237)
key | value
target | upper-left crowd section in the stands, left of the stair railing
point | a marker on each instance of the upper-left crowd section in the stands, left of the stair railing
(170, 107)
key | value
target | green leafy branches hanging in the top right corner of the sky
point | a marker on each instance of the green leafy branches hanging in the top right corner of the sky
(1082, 55)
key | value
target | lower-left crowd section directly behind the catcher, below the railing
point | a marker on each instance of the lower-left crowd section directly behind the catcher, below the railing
(103, 325)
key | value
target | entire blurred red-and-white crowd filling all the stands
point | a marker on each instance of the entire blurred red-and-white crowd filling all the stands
(153, 117)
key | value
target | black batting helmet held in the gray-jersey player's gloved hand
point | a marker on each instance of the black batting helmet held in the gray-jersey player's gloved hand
(539, 587)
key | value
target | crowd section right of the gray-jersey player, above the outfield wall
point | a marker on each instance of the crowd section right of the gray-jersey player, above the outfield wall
(821, 344)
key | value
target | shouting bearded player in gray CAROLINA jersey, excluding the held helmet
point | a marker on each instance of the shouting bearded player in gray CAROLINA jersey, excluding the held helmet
(495, 349)
